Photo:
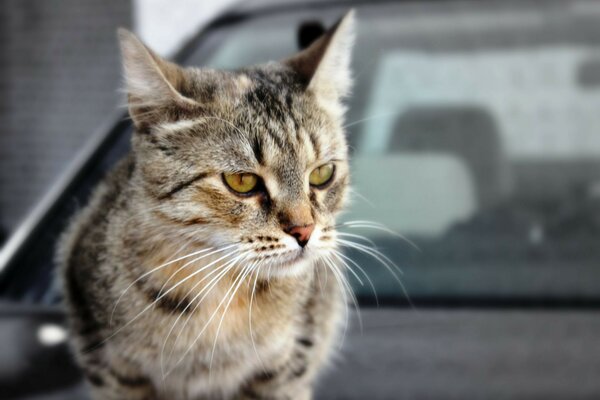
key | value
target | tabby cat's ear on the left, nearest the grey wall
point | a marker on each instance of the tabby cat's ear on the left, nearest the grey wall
(153, 84)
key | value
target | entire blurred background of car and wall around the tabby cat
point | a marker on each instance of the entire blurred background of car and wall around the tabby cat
(474, 133)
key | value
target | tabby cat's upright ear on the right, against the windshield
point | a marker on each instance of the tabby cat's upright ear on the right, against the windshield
(325, 64)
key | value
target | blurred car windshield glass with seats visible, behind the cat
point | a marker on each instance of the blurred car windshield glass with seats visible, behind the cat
(472, 137)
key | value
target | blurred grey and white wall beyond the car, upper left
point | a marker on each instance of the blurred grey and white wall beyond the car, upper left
(60, 76)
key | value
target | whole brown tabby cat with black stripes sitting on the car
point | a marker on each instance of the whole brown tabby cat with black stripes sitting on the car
(198, 268)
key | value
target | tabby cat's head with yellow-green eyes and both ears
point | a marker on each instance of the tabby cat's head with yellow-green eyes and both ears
(254, 159)
